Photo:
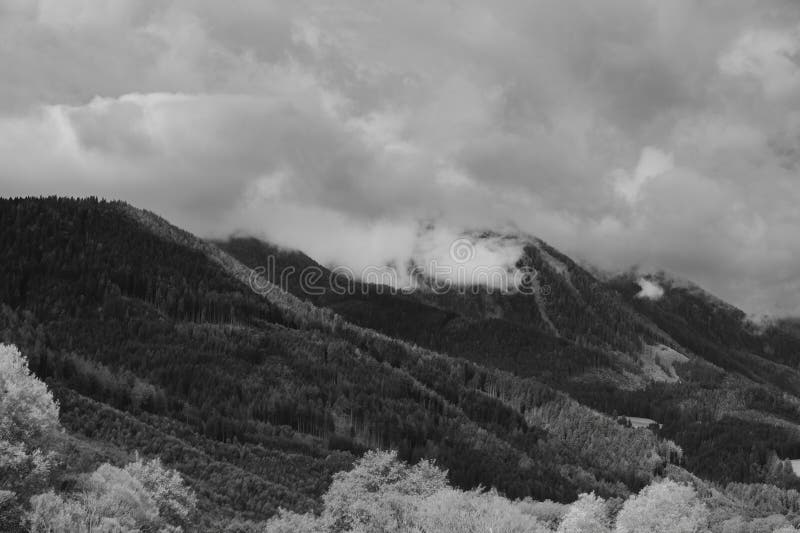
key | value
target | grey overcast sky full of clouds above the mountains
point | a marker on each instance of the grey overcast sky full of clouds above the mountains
(626, 133)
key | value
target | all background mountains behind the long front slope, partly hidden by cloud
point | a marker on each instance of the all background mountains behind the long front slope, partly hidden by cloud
(687, 360)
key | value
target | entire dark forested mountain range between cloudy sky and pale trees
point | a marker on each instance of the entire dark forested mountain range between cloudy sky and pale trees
(156, 341)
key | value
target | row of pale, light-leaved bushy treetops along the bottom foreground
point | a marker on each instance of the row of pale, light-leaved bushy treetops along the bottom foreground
(380, 493)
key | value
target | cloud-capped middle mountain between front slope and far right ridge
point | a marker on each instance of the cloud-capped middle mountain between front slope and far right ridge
(563, 335)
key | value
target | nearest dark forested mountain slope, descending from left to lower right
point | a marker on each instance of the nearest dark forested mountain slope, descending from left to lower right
(154, 340)
